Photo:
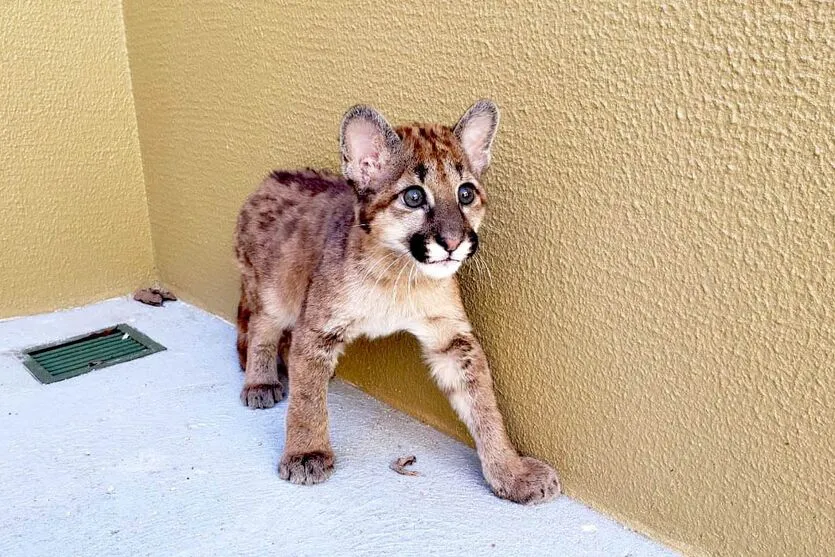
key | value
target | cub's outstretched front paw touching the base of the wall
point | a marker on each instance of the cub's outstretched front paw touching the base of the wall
(528, 481)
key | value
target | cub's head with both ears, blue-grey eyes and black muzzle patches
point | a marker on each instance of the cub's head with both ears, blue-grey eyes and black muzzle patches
(419, 185)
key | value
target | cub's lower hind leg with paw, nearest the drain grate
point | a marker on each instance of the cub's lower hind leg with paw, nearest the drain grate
(265, 367)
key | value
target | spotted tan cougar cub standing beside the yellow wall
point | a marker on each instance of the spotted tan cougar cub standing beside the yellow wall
(325, 259)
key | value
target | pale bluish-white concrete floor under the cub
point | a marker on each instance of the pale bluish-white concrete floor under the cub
(158, 457)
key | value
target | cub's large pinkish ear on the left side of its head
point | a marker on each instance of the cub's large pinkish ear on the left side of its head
(371, 150)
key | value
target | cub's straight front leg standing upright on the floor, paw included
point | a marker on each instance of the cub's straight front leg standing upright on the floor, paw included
(308, 457)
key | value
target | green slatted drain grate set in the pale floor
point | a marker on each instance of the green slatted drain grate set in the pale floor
(69, 358)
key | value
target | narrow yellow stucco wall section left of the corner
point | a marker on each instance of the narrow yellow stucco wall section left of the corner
(73, 212)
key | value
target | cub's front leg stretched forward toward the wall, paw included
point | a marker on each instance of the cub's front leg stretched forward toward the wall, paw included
(459, 367)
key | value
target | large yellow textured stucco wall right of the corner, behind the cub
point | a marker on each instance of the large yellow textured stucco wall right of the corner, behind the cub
(660, 312)
